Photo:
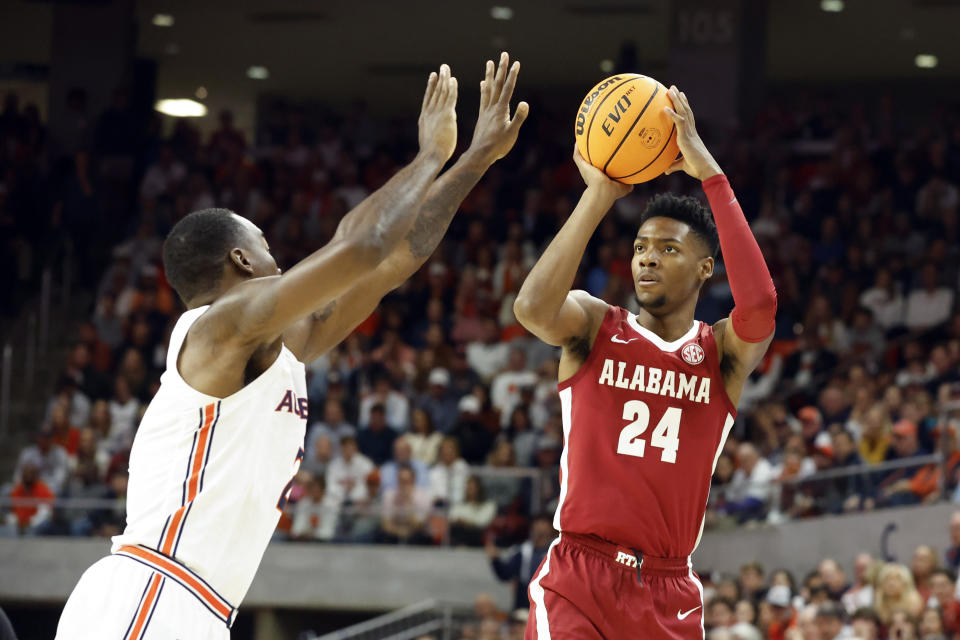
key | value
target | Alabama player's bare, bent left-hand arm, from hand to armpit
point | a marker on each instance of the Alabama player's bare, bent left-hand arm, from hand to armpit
(545, 305)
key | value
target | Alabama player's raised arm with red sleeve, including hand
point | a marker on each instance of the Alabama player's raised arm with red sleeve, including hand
(744, 336)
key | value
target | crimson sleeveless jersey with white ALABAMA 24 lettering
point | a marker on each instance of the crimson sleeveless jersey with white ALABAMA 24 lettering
(644, 422)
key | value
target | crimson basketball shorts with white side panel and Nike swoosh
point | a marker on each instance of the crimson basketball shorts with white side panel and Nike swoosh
(588, 588)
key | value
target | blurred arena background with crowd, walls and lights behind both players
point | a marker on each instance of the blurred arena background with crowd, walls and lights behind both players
(838, 123)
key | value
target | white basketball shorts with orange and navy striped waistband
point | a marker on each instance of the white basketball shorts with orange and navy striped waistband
(138, 594)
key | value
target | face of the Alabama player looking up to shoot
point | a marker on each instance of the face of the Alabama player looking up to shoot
(669, 264)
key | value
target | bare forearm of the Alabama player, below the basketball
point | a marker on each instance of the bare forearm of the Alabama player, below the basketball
(548, 283)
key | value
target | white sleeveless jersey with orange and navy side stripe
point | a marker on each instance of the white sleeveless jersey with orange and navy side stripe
(208, 476)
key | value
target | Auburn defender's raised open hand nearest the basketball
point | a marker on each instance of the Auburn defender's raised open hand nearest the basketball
(496, 132)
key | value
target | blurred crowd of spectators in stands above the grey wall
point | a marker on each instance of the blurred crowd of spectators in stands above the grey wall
(417, 421)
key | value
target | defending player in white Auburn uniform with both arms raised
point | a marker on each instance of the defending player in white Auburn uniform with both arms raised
(216, 452)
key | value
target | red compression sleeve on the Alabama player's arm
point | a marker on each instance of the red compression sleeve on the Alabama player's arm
(754, 297)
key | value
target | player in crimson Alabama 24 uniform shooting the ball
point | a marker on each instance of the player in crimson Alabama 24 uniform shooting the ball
(647, 402)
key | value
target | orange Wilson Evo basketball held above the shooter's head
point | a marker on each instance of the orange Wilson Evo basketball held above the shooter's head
(622, 130)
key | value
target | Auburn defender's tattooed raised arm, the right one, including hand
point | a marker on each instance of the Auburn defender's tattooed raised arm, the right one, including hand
(493, 137)
